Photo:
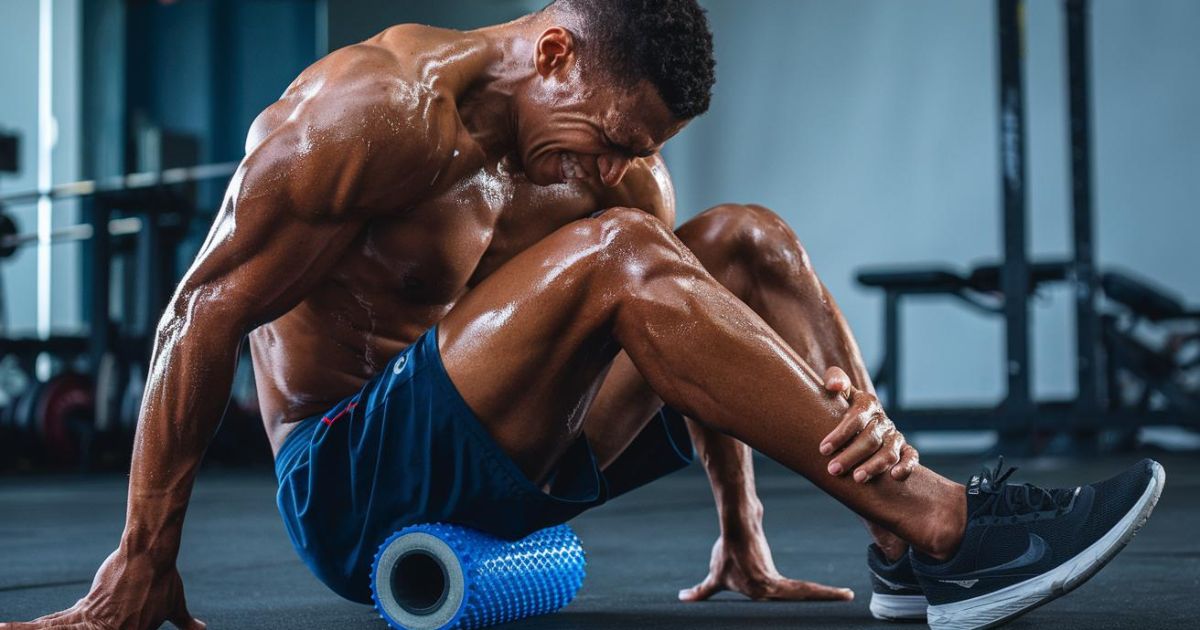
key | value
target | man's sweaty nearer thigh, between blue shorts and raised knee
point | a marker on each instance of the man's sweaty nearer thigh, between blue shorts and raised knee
(530, 346)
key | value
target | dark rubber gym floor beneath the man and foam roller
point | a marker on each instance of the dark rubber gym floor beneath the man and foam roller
(241, 571)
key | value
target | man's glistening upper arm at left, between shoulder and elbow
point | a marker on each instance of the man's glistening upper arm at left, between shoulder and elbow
(286, 220)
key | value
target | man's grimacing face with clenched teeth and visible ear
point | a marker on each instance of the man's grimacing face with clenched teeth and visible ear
(578, 123)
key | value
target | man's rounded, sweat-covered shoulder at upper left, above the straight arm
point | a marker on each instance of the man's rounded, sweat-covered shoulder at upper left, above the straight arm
(351, 134)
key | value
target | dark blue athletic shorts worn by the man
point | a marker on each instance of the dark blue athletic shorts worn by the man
(406, 449)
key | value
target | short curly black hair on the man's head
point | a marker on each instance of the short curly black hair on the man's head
(667, 43)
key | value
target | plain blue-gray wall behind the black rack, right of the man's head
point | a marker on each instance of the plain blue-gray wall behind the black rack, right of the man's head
(871, 125)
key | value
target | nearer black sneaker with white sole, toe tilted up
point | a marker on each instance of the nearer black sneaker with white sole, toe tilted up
(1025, 547)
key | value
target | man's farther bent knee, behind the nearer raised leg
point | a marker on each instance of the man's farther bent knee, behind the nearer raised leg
(747, 236)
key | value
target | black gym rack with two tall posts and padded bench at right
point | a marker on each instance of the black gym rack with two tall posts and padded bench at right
(1005, 289)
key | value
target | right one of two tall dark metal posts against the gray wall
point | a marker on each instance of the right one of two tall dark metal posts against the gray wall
(1079, 128)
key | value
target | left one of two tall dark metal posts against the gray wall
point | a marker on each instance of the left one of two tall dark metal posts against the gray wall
(1016, 277)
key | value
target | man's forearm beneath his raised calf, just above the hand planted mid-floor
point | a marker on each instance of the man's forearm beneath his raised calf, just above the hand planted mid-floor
(730, 467)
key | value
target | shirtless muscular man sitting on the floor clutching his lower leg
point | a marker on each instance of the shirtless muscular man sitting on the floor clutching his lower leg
(453, 255)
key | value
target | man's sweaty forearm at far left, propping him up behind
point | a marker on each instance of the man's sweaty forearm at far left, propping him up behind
(187, 393)
